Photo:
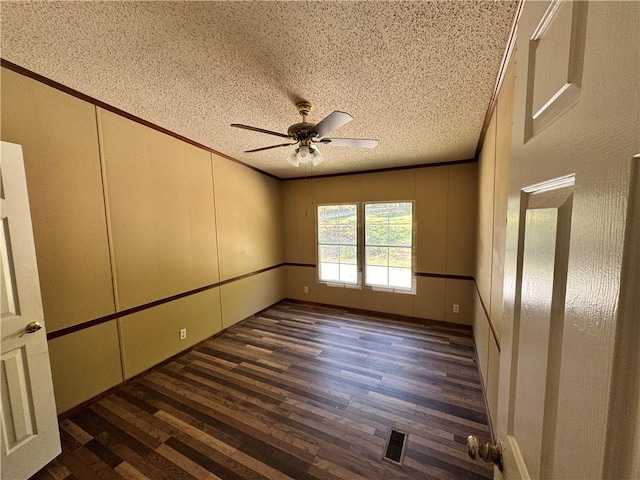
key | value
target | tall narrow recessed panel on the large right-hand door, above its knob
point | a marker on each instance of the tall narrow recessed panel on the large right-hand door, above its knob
(538, 326)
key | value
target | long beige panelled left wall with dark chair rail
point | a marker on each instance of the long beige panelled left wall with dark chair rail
(124, 216)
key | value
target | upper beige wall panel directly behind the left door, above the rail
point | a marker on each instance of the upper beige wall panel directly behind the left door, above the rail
(60, 145)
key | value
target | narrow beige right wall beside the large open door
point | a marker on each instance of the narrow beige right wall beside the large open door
(493, 188)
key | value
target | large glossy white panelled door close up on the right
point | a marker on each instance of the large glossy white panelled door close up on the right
(576, 129)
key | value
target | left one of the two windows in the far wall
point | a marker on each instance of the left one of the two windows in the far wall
(338, 243)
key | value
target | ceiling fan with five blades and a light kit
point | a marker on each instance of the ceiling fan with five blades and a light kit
(306, 135)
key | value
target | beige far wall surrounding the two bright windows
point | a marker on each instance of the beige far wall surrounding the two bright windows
(445, 237)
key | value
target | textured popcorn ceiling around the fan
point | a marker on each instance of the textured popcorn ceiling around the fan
(417, 75)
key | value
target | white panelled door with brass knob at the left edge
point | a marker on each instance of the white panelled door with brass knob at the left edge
(30, 437)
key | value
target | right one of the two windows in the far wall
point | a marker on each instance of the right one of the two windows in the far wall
(388, 244)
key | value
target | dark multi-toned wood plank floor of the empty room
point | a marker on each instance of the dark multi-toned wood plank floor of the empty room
(296, 391)
